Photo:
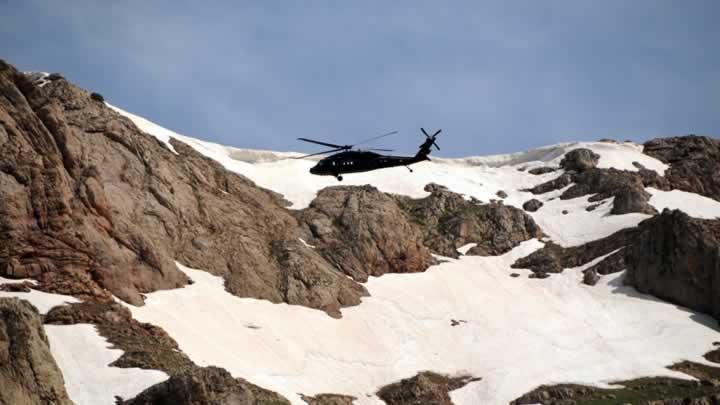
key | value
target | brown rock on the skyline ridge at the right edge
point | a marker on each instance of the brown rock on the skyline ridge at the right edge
(694, 163)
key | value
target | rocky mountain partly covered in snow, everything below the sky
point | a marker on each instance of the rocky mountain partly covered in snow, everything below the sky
(228, 276)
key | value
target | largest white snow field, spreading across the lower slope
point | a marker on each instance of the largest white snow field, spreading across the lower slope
(558, 330)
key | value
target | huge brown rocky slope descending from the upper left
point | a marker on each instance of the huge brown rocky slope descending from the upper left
(92, 206)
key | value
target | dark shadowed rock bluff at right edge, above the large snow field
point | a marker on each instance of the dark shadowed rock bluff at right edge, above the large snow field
(677, 258)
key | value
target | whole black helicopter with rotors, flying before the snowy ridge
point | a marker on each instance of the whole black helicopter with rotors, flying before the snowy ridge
(355, 161)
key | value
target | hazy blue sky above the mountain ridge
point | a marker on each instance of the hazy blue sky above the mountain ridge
(496, 76)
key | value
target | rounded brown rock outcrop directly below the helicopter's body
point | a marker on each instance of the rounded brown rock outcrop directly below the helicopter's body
(363, 232)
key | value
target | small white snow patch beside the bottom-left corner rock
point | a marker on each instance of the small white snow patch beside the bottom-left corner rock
(84, 357)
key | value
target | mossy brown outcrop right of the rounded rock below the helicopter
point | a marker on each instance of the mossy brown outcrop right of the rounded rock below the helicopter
(449, 221)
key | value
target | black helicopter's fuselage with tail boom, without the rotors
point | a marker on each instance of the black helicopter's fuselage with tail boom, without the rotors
(360, 161)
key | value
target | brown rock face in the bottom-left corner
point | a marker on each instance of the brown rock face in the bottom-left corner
(28, 373)
